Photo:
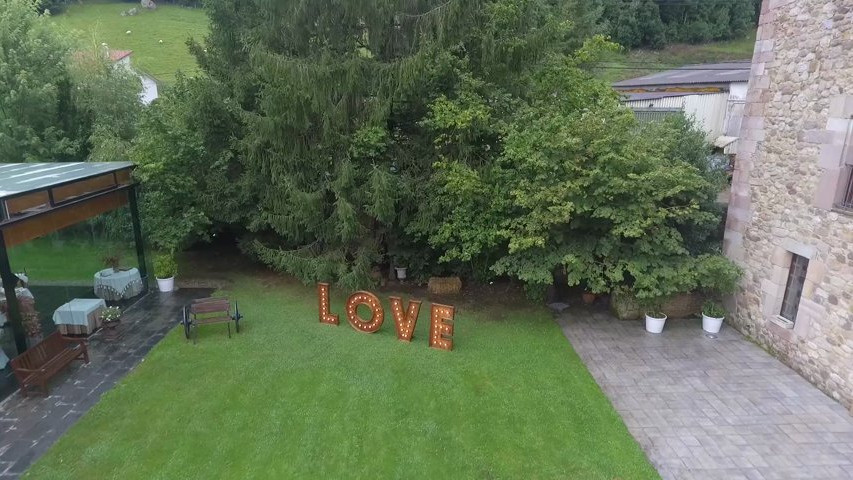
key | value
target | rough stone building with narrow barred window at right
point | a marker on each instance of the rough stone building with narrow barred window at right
(790, 221)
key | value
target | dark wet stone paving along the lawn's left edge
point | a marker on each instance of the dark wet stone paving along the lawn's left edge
(29, 426)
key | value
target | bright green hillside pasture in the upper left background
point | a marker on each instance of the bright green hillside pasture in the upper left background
(97, 22)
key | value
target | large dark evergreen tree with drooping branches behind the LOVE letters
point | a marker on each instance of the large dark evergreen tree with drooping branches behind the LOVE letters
(330, 95)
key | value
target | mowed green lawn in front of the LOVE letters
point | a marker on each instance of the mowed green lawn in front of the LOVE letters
(292, 398)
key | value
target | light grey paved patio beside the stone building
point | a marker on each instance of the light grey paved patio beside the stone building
(712, 408)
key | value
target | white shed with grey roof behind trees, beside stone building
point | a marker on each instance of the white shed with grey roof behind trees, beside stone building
(713, 95)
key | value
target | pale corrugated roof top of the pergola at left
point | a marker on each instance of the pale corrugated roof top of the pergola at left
(17, 178)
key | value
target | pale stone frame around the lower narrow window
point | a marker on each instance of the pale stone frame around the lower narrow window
(773, 289)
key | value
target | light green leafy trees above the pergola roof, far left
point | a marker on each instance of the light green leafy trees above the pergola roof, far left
(61, 102)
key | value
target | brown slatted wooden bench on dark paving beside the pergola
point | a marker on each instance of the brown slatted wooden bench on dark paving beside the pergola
(46, 359)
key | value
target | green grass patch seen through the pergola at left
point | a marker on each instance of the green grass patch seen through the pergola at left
(56, 259)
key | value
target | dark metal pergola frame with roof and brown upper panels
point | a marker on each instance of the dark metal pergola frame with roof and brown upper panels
(56, 201)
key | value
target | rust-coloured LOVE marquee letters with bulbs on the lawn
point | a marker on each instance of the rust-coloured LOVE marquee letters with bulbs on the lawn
(405, 317)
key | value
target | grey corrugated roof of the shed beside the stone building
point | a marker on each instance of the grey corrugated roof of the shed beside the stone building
(705, 74)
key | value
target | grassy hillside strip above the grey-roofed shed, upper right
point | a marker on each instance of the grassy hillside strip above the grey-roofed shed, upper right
(636, 63)
